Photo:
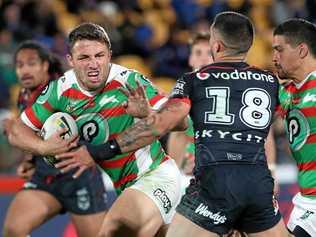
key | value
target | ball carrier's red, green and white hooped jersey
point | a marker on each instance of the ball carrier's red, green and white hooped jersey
(101, 117)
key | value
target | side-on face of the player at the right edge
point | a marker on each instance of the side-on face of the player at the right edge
(285, 57)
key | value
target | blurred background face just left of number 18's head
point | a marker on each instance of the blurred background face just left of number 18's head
(200, 55)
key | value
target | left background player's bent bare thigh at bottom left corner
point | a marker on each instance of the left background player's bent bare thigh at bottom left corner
(30, 208)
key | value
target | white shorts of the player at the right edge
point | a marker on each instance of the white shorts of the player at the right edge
(303, 214)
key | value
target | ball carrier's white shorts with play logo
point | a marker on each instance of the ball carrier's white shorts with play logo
(163, 186)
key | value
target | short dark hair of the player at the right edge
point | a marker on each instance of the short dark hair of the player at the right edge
(298, 31)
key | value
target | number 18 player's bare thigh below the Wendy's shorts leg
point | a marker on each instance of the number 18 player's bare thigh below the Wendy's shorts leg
(181, 226)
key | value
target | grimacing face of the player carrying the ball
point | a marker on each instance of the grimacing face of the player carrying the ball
(90, 60)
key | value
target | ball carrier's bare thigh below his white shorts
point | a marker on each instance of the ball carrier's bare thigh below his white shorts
(132, 214)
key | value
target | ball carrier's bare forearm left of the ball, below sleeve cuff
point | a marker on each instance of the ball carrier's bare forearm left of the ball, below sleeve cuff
(24, 138)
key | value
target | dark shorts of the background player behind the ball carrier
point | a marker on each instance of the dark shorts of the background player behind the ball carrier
(84, 195)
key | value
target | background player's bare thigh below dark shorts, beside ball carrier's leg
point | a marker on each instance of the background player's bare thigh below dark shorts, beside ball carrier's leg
(88, 225)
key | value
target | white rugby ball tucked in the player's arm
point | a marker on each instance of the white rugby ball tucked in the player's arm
(53, 124)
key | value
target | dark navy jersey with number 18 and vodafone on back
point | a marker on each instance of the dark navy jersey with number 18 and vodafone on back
(232, 105)
